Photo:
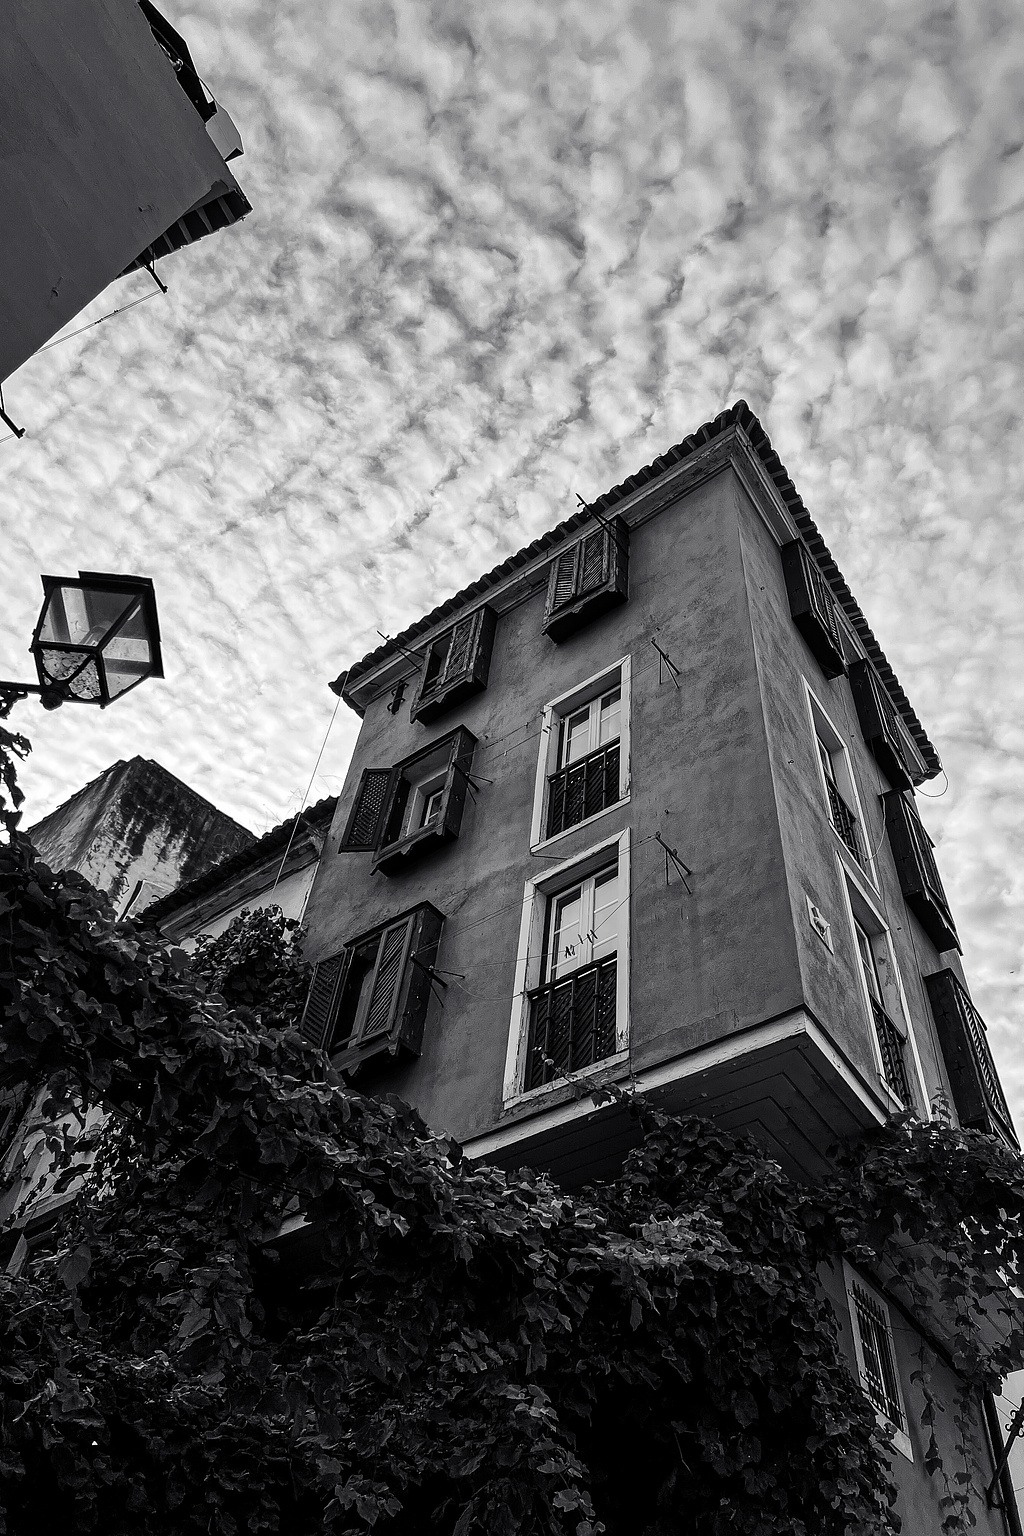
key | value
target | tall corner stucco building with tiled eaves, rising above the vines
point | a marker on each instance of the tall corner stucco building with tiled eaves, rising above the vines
(638, 806)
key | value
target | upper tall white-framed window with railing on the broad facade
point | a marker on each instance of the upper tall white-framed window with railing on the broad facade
(584, 755)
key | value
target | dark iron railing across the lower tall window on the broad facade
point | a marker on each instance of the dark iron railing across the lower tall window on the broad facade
(572, 1024)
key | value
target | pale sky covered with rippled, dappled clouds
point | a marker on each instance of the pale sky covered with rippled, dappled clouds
(503, 254)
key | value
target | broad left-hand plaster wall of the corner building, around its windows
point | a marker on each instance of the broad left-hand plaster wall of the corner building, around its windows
(702, 965)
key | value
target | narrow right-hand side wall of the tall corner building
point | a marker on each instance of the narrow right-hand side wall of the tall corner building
(814, 853)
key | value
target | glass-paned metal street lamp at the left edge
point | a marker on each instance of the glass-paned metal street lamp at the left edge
(96, 638)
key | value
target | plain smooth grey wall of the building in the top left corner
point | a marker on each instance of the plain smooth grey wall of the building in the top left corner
(102, 153)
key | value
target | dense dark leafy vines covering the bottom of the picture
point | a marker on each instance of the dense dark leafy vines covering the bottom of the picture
(426, 1348)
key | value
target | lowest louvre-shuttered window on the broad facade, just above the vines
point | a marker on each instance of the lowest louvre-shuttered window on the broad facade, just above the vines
(372, 998)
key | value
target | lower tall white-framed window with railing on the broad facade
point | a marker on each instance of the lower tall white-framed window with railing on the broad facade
(572, 987)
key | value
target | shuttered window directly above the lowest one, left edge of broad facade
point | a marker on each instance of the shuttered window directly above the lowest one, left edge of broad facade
(406, 812)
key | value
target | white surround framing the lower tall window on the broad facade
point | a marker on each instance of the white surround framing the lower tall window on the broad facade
(530, 961)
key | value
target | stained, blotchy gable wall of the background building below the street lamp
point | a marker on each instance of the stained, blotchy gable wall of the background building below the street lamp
(137, 823)
